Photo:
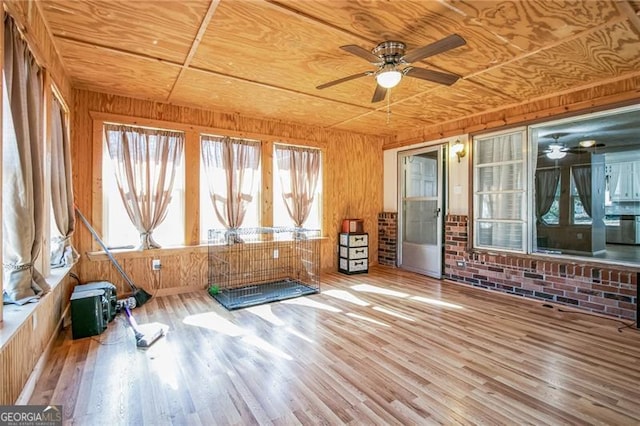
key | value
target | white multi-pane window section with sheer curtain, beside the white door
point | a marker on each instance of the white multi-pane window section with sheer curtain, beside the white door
(500, 185)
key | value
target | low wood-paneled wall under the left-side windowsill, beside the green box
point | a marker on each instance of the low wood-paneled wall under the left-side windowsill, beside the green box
(21, 353)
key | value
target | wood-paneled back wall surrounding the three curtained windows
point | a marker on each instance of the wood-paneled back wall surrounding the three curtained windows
(352, 182)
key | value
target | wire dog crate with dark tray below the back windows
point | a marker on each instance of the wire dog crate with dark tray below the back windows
(253, 266)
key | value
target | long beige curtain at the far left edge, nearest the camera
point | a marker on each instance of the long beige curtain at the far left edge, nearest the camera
(22, 179)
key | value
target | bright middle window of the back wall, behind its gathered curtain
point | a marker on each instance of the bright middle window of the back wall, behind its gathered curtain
(249, 173)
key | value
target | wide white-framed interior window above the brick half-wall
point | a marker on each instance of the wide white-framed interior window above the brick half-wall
(574, 198)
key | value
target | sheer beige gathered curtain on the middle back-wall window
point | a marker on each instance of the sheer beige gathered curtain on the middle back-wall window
(231, 166)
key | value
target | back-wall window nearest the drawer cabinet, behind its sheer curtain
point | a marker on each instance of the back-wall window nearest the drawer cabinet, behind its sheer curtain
(305, 179)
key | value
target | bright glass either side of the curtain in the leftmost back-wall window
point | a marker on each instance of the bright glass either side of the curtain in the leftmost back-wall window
(117, 227)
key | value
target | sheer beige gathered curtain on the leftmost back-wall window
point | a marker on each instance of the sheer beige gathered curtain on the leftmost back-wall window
(145, 163)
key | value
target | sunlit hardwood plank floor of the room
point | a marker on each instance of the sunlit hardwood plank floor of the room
(389, 347)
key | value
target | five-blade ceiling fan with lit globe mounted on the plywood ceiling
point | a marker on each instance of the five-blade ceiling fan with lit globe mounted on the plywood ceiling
(393, 63)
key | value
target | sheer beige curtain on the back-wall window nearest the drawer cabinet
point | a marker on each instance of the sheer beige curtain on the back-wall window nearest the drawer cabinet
(299, 170)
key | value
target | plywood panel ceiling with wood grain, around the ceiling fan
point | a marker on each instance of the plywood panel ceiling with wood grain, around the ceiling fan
(265, 58)
